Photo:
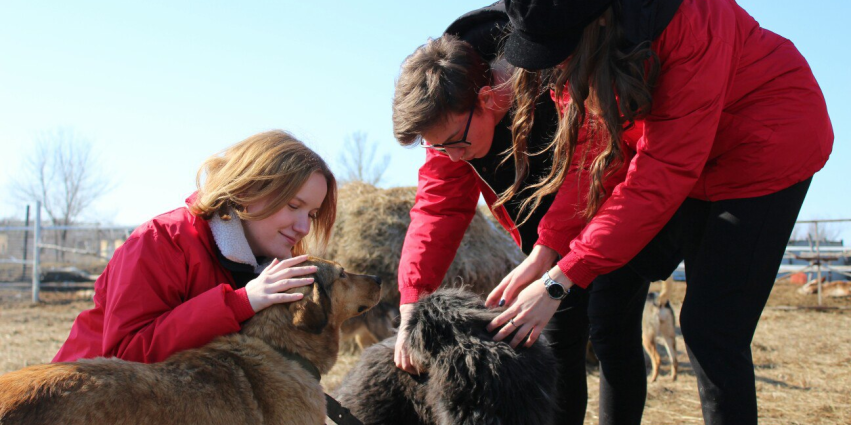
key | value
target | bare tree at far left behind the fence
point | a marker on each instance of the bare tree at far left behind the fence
(64, 174)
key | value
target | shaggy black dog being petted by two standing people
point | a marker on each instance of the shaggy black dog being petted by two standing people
(471, 379)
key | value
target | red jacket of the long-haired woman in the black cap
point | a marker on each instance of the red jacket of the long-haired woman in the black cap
(736, 113)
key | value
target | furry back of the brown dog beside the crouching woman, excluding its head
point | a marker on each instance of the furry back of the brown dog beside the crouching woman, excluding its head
(186, 388)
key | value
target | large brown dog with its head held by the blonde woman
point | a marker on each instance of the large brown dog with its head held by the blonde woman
(266, 374)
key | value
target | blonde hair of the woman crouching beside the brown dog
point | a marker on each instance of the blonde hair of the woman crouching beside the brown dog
(273, 165)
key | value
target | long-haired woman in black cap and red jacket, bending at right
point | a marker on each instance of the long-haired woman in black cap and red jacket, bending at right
(707, 130)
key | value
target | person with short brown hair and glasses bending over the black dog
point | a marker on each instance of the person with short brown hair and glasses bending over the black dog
(451, 98)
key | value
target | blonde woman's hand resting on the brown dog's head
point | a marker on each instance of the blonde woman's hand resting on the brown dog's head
(266, 289)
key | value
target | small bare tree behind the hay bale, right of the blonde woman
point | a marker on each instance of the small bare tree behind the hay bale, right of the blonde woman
(359, 160)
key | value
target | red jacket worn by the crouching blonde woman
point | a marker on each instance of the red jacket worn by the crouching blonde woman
(164, 291)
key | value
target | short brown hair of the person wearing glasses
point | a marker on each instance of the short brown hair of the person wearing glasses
(442, 76)
